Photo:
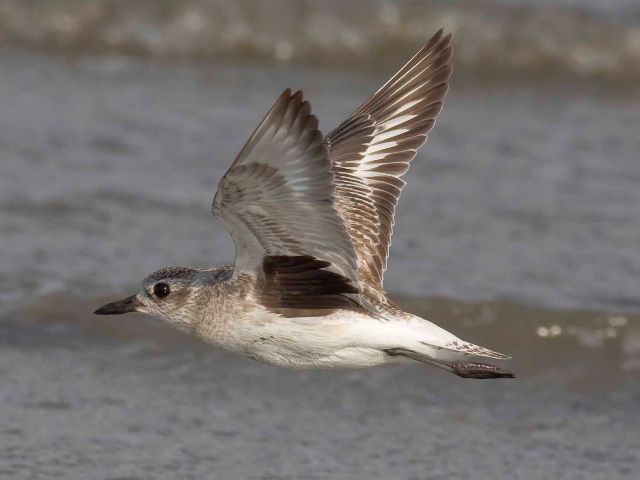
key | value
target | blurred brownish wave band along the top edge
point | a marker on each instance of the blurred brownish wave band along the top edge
(534, 37)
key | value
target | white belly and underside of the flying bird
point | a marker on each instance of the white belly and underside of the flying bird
(344, 339)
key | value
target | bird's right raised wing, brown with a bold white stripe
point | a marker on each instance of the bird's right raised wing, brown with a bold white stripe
(372, 149)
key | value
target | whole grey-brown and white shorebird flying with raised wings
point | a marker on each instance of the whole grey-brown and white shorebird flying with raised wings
(311, 218)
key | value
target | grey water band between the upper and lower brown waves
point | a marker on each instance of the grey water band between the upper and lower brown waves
(524, 191)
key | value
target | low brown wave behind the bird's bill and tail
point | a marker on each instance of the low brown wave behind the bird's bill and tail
(537, 338)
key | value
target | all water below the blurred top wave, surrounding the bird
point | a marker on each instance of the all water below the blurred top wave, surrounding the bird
(527, 190)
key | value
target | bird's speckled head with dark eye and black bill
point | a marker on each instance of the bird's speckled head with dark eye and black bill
(170, 293)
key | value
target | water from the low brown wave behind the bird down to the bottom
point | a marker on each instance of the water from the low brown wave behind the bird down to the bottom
(127, 397)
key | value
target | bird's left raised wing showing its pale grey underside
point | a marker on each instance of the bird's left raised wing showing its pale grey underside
(277, 200)
